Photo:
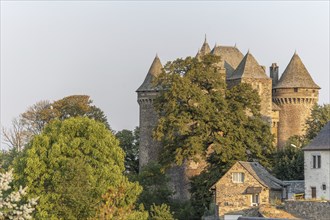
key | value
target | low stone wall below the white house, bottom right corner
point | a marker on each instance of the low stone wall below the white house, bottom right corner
(317, 210)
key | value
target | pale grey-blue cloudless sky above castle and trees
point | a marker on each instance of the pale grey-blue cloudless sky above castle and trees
(53, 49)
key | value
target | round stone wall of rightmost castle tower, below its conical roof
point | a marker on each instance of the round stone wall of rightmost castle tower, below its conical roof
(296, 105)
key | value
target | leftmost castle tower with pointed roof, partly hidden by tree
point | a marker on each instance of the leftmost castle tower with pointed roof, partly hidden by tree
(149, 148)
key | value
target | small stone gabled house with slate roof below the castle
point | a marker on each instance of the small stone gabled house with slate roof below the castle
(244, 186)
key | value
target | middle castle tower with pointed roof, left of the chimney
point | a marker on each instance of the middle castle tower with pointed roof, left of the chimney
(249, 71)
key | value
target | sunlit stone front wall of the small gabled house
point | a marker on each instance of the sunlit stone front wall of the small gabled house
(231, 197)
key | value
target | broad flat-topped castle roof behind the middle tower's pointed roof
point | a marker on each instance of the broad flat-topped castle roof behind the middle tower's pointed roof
(231, 56)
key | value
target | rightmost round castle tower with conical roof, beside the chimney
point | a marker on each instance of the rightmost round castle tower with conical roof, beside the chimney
(295, 93)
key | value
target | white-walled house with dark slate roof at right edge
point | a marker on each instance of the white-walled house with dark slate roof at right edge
(317, 166)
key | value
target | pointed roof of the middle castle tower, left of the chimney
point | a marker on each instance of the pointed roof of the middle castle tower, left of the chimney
(248, 68)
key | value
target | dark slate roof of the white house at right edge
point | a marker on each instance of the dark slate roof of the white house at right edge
(321, 141)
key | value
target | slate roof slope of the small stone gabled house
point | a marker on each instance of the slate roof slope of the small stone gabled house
(262, 175)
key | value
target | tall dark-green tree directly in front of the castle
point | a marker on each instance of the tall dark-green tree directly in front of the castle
(199, 118)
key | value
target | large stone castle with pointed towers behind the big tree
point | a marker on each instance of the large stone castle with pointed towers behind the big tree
(286, 103)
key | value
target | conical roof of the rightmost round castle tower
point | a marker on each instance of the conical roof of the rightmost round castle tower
(296, 75)
